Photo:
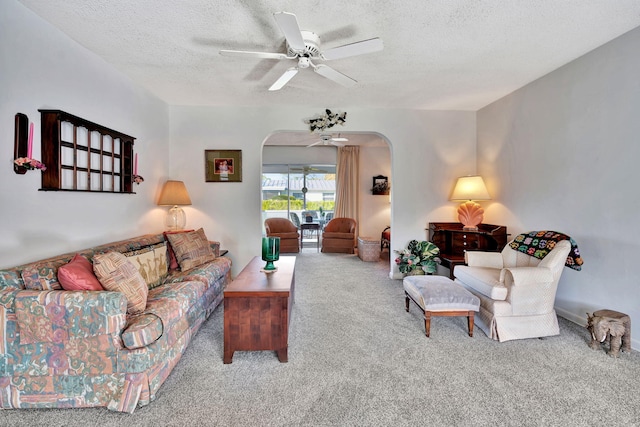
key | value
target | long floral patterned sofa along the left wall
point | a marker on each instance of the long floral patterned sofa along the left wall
(62, 348)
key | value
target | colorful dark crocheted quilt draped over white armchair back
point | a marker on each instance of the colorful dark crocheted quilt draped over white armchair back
(539, 243)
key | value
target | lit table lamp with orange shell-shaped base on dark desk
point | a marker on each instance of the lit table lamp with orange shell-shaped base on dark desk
(470, 188)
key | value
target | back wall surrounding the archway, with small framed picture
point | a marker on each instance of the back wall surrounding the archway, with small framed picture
(429, 150)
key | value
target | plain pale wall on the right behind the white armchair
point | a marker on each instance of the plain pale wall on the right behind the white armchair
(561, 154)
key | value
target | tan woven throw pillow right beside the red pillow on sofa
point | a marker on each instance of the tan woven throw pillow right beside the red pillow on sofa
(116, 273)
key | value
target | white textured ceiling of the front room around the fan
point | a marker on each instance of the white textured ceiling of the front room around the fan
(438, 54)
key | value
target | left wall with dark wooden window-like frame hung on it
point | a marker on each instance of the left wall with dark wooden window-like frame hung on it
(42, 68)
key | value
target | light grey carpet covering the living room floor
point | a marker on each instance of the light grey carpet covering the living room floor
(357, 358)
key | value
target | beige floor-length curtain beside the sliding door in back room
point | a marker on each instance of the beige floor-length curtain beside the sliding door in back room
(347, 182)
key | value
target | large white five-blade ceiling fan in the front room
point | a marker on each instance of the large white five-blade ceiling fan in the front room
(304, 47)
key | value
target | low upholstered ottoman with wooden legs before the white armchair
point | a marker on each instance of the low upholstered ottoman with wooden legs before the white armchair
(440, 296)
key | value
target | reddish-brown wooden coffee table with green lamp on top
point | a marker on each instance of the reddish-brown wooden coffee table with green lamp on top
(257, 309)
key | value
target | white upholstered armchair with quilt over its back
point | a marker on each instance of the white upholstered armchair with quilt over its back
(516, 291)
